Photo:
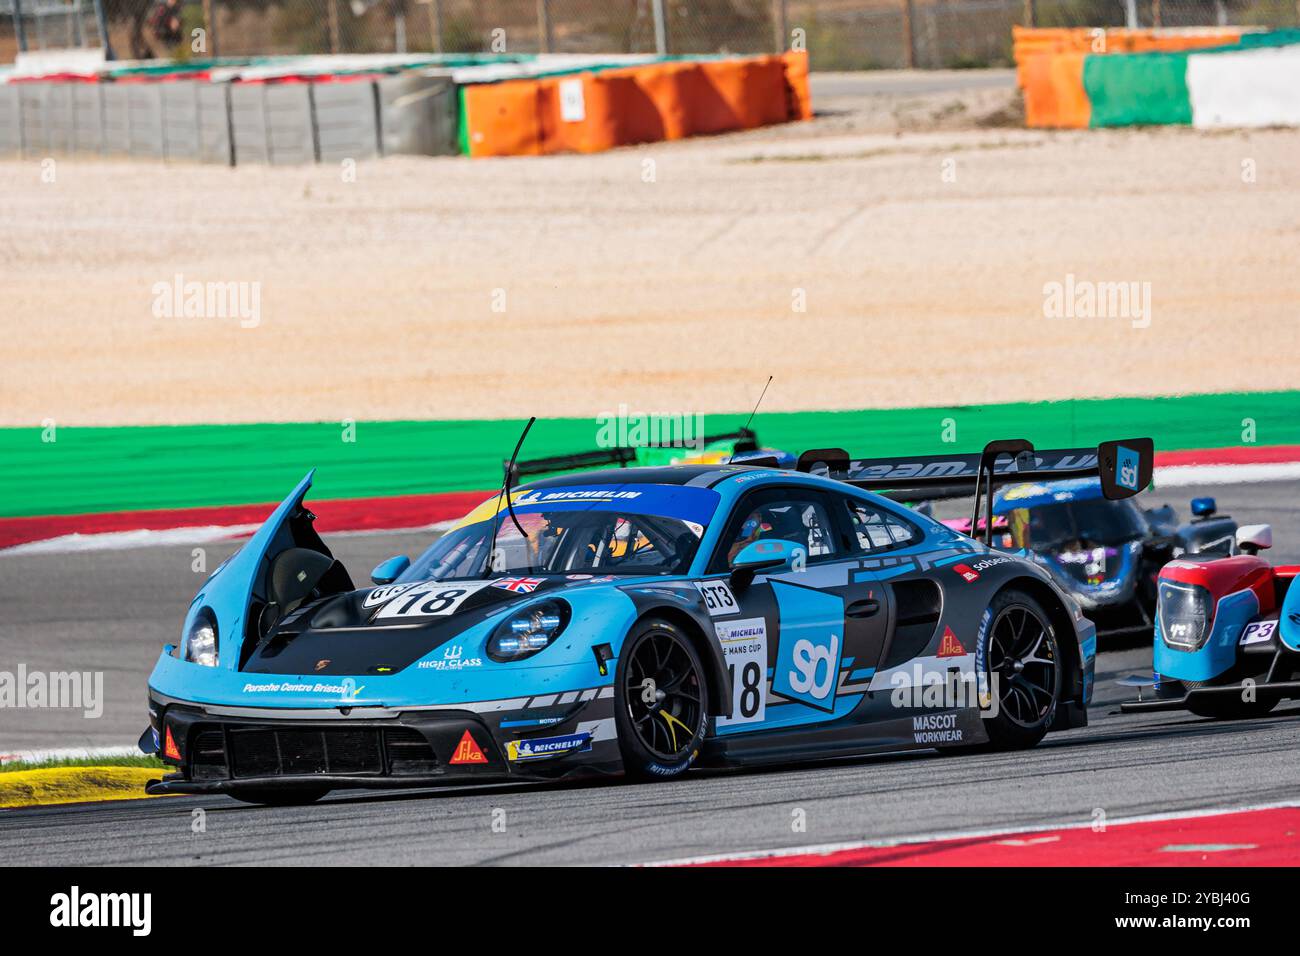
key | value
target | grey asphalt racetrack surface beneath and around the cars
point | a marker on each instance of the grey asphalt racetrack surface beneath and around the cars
(112, 611)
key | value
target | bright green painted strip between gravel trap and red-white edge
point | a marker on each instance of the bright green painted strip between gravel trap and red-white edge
(93, 470)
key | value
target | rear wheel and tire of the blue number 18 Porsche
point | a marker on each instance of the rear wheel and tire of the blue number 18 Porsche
(1022, 659)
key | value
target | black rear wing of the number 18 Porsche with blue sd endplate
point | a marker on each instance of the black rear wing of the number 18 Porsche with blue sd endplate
(1124, 468)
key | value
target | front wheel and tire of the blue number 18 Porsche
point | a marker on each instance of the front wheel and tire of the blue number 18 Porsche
(661, 702)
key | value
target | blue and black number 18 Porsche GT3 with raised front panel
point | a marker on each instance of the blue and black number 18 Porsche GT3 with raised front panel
(635, 621)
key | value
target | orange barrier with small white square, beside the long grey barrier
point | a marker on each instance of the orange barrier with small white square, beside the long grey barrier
(591, 113)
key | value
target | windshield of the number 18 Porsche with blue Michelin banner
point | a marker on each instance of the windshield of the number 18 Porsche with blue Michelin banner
(648, 533)
